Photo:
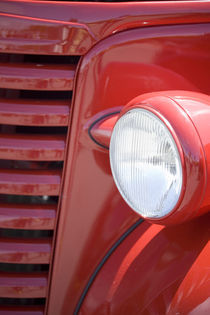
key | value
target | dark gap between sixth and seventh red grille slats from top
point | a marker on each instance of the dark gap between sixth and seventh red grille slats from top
(22, 268)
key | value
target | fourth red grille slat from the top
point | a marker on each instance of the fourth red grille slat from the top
(27, 182)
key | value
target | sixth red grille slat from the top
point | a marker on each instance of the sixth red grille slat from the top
(25, 251)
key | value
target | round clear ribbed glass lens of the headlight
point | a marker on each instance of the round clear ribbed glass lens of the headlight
(145, 163)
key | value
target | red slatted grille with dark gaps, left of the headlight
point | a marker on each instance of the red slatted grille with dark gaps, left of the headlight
(35, 101)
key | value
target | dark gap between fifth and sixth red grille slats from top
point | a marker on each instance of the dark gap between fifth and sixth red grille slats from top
(12, 233)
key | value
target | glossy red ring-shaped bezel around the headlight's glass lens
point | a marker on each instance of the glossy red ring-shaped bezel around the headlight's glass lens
(189, 146)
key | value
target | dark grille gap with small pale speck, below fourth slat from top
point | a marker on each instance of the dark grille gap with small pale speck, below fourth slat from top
(34, 200)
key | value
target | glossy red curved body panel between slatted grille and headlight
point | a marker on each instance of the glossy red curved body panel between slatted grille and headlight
(93, 213)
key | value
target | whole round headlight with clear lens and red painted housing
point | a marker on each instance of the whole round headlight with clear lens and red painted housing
(160, 157)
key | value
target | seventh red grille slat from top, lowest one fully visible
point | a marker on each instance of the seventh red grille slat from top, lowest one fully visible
(17, 285)
